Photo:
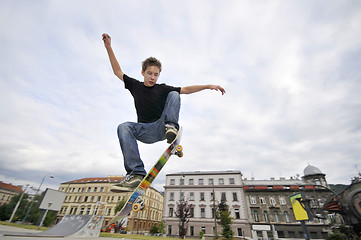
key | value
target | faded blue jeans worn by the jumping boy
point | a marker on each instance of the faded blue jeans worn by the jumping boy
(130, 132)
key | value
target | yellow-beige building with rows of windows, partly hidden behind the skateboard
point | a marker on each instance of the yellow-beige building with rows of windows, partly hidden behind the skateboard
(88, 196)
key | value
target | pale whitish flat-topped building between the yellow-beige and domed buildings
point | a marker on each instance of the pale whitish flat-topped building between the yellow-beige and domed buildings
(202, 190)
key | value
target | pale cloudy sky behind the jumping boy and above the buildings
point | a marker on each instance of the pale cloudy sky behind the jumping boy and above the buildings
(291, 69)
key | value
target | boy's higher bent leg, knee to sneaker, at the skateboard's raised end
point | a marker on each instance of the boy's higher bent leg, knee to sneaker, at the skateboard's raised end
(171, 115)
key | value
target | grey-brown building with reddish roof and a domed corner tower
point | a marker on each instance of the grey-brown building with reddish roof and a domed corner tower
(270, 211)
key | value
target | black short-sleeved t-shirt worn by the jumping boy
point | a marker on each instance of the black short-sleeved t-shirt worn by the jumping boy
(149, 101)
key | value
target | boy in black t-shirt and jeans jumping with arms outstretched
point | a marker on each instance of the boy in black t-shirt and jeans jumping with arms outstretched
(157, 107)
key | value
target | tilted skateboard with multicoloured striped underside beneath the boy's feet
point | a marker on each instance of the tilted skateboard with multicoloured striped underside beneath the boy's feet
(135, 201)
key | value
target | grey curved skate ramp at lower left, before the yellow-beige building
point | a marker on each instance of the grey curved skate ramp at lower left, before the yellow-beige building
(71, 225)
